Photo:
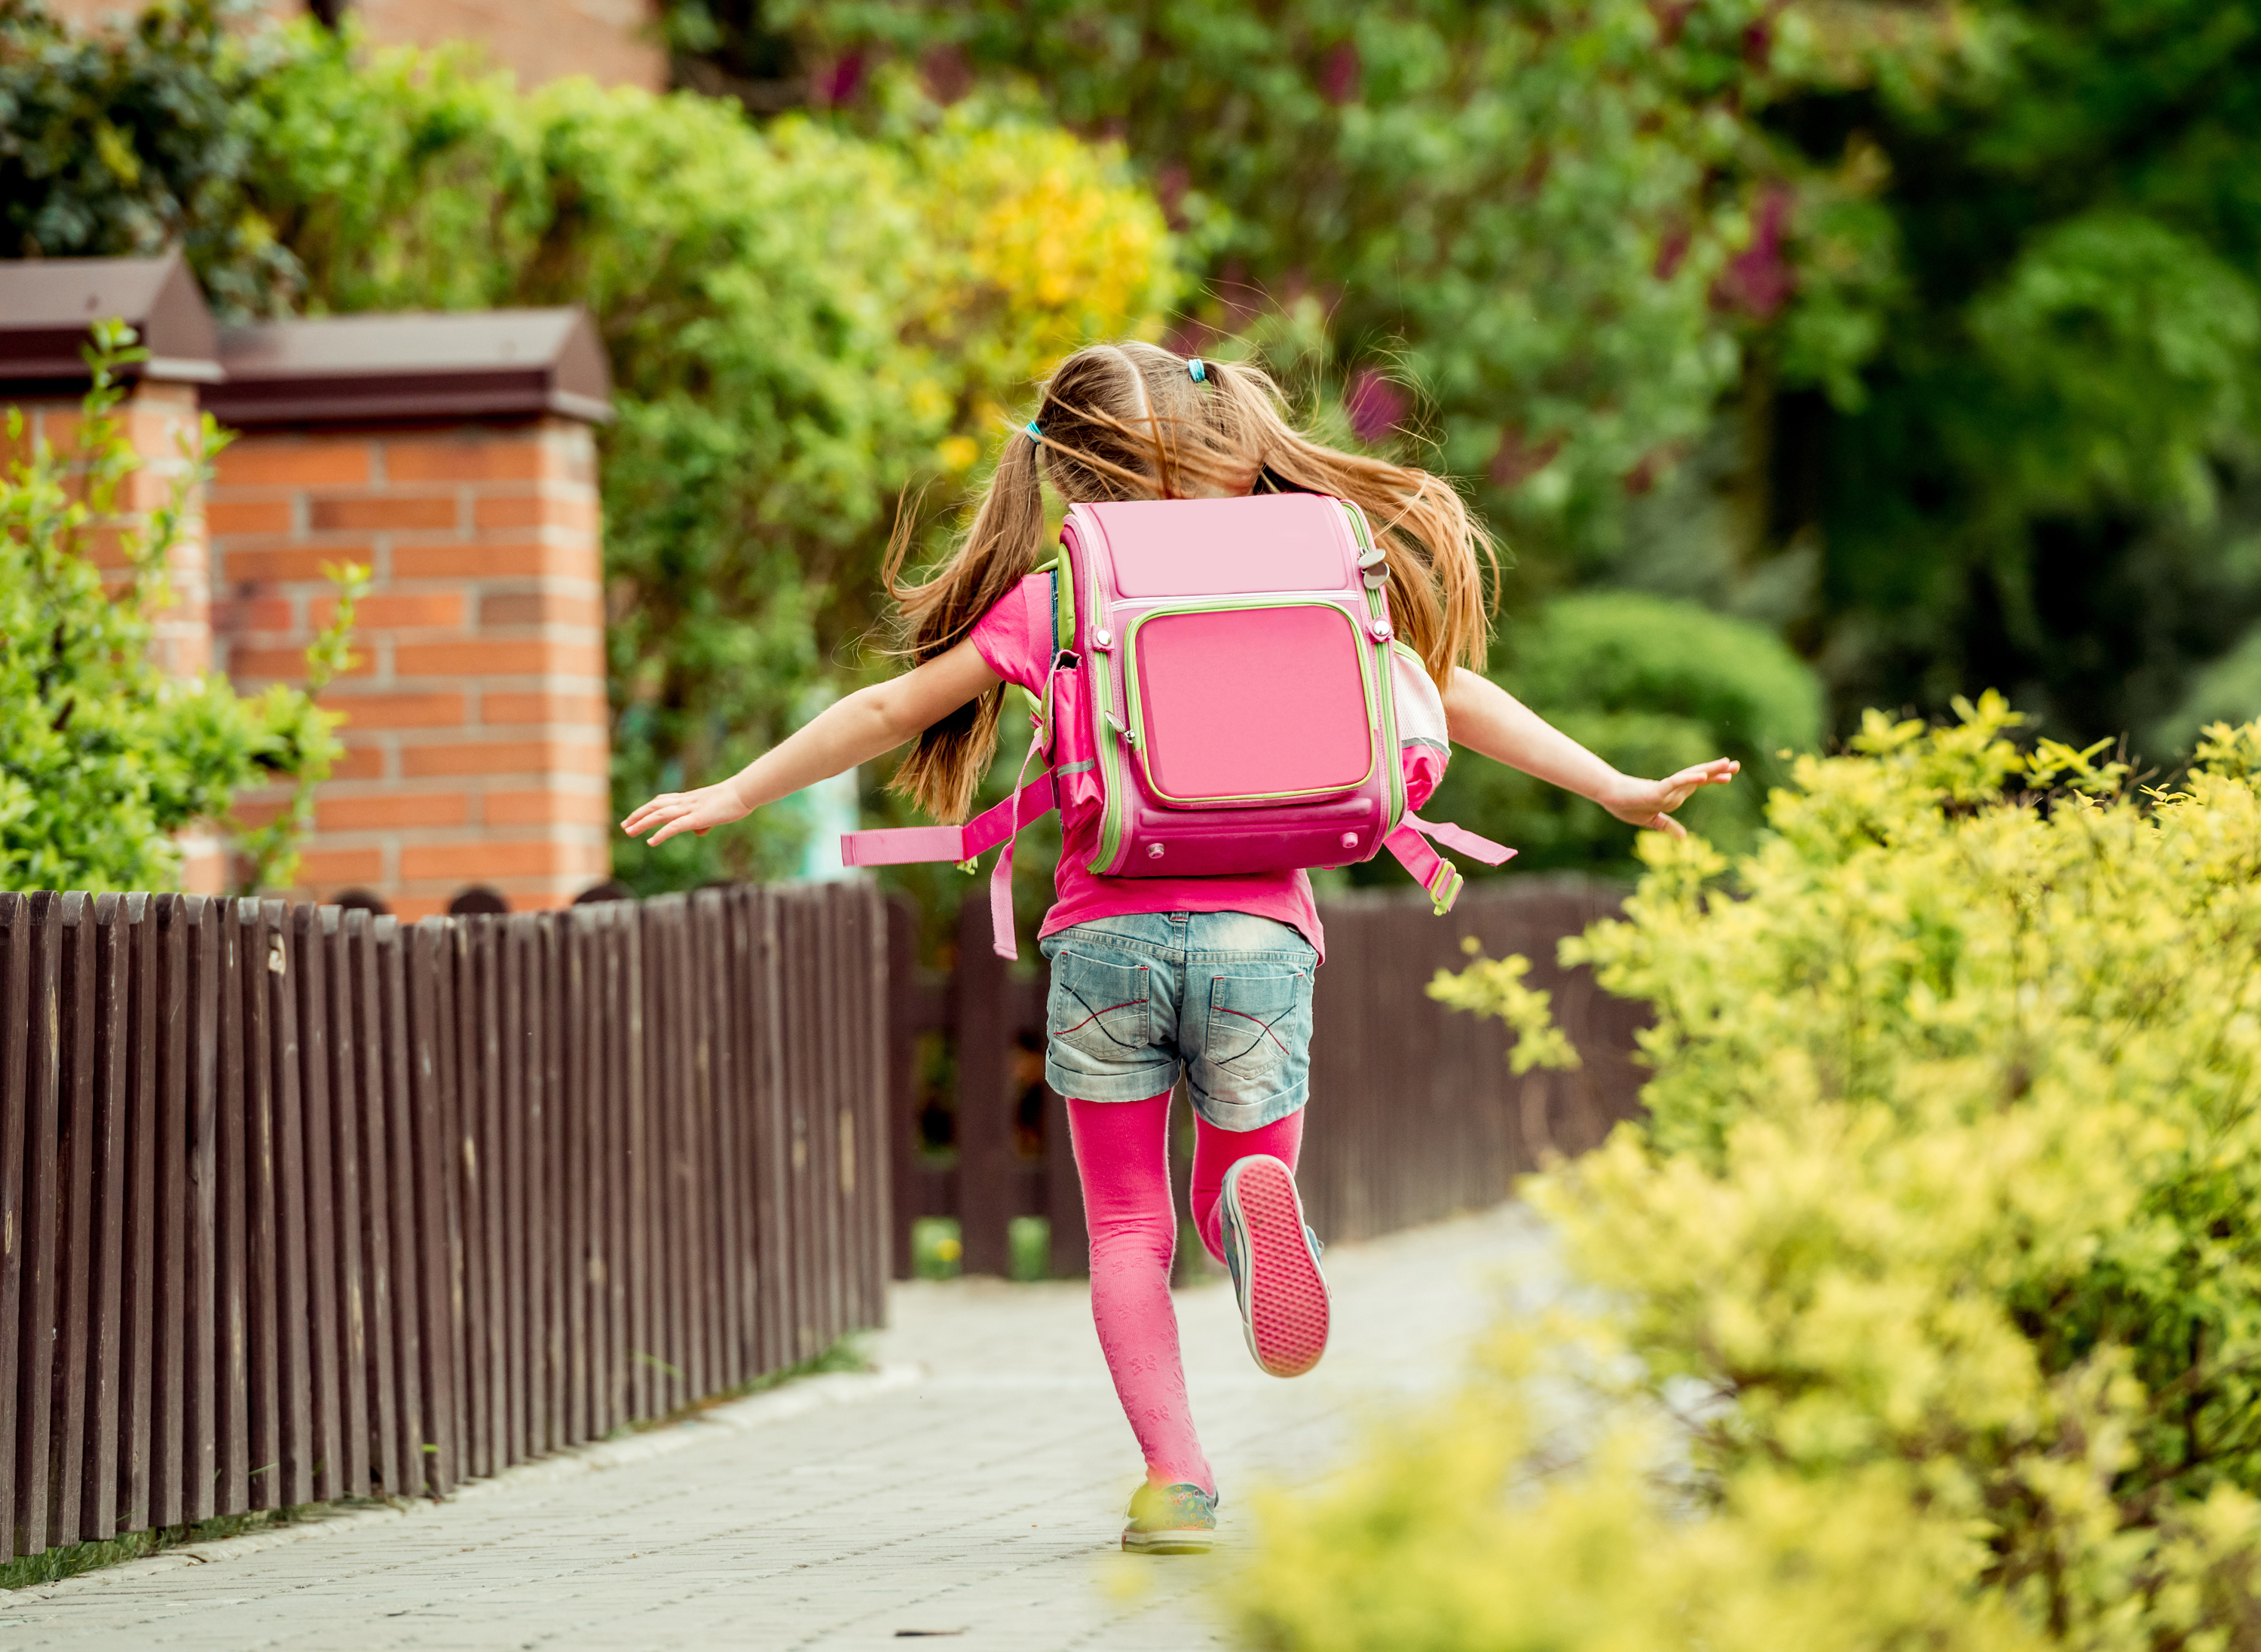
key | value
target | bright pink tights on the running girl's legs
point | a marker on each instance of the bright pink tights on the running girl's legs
(1123, 1156)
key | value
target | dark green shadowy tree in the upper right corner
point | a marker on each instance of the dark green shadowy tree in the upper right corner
(2045, 473)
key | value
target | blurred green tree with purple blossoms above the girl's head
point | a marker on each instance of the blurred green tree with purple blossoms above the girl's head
(1521, 214)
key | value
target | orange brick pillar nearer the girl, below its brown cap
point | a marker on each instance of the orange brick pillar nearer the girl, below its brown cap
(476, 738)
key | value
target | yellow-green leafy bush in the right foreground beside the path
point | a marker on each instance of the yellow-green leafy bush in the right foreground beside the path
(1930, 1294)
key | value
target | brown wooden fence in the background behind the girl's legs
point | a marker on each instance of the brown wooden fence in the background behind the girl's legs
(1414, 1113)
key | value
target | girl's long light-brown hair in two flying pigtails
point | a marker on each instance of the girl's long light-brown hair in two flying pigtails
(1127, 421)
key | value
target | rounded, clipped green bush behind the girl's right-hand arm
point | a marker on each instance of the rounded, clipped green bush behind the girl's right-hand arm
(1654, 686)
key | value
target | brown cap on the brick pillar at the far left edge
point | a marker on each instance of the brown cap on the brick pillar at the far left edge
(51, 304)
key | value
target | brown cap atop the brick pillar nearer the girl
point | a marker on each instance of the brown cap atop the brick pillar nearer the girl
(410, 367)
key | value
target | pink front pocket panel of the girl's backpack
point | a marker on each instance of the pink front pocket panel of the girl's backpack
(1251, 702)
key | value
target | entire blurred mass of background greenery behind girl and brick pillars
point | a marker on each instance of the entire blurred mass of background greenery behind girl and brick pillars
(1808, 356)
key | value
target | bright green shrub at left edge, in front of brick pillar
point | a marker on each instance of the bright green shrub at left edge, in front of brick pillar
(105, 756)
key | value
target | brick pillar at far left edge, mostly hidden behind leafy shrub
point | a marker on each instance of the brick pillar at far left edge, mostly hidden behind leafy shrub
(159, 421)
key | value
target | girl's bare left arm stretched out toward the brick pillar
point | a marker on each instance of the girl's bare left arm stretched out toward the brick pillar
(840, 738)
